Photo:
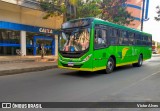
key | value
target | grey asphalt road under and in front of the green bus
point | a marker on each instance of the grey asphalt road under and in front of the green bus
(125, 84)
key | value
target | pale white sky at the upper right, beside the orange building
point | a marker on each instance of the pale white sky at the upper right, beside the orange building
(152, 26)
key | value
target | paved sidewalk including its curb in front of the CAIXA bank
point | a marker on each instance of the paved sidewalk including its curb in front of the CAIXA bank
(16, 64)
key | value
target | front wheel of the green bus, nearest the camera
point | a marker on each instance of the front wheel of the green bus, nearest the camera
(110, 65)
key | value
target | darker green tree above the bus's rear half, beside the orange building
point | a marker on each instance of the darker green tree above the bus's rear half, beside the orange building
(115, 11)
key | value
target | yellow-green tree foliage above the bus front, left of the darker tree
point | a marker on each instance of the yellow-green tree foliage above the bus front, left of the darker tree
(70, 9)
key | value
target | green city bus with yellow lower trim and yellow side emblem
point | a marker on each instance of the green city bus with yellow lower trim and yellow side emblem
(92, 44)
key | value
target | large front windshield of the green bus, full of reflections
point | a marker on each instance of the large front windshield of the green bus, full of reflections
(74, 40)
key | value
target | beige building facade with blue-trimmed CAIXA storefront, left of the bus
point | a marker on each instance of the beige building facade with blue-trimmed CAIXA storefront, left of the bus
(22, 27)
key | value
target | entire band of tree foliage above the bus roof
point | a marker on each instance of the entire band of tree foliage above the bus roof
(111, 10)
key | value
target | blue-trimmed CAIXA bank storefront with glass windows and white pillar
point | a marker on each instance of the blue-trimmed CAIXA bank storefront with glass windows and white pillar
(27, 38)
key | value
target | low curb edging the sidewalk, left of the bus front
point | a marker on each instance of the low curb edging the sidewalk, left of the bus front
(21, 71)
